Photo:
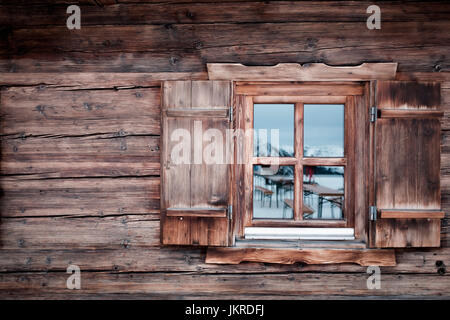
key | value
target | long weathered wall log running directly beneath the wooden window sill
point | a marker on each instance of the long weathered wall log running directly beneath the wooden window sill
(189, 259)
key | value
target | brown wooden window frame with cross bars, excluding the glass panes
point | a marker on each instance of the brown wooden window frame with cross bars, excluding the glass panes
(297, 93)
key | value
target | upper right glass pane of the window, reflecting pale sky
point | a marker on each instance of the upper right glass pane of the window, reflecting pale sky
(323, 130)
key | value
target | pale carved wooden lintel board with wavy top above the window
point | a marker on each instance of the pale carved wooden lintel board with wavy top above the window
(305, 72)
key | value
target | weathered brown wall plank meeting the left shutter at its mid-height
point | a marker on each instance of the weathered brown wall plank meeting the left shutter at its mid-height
(107, 155)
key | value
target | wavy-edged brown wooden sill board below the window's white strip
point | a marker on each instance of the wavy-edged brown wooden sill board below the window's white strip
(309, 252)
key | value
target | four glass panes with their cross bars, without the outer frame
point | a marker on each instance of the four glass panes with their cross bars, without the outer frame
(320, 135)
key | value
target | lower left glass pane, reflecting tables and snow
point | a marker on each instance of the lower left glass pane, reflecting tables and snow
(273, 192)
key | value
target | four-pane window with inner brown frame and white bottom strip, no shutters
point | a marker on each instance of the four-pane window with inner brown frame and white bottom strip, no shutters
(300, 170)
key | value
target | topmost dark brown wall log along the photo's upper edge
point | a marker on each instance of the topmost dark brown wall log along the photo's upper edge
(198, 12)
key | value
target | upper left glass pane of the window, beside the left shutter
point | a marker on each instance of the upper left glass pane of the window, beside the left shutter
(274, 130)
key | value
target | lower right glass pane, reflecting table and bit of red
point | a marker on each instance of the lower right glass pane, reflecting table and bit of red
(323, 192)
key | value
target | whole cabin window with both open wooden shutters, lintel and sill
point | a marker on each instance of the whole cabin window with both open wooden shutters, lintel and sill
(324, 160)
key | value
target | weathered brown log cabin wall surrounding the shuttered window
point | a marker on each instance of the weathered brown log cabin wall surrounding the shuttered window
(80, 139)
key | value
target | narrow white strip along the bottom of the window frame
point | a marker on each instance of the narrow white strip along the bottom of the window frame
(299, 233)
